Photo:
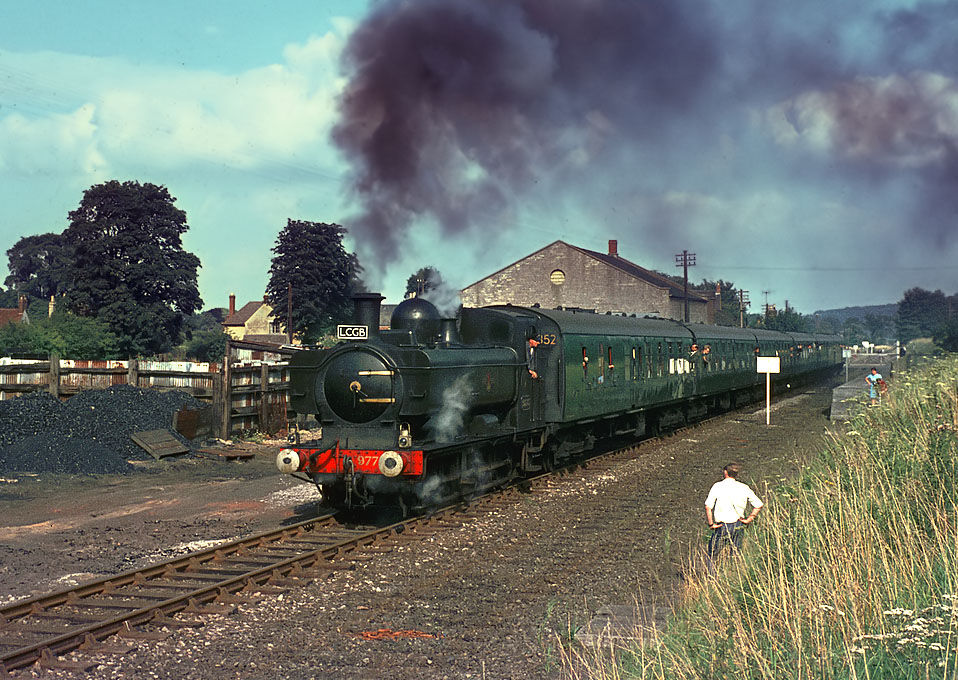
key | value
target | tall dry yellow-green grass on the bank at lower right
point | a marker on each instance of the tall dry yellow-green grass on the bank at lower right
(851, 571)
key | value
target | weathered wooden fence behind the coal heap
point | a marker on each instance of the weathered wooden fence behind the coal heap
(248, 391)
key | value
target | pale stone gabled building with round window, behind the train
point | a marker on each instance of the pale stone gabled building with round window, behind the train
(563, 275)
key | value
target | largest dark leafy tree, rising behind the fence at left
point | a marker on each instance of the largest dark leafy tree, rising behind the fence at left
(129, 268)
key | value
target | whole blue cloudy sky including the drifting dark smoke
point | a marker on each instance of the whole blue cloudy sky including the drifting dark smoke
(807, 152)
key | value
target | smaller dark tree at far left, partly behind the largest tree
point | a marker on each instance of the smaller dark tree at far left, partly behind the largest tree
(39, 266)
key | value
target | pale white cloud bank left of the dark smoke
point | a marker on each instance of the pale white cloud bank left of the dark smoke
(140, 116)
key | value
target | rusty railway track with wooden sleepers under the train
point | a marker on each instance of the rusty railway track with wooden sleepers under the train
(113, 614)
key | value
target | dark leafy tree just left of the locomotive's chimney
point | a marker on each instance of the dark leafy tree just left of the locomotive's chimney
(309, 259)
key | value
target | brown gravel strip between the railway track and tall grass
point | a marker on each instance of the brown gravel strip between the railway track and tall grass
(501, 593)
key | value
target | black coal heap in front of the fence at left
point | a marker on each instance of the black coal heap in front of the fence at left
(88, 434)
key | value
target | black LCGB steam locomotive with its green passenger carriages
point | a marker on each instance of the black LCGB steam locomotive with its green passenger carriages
(436, 409)
